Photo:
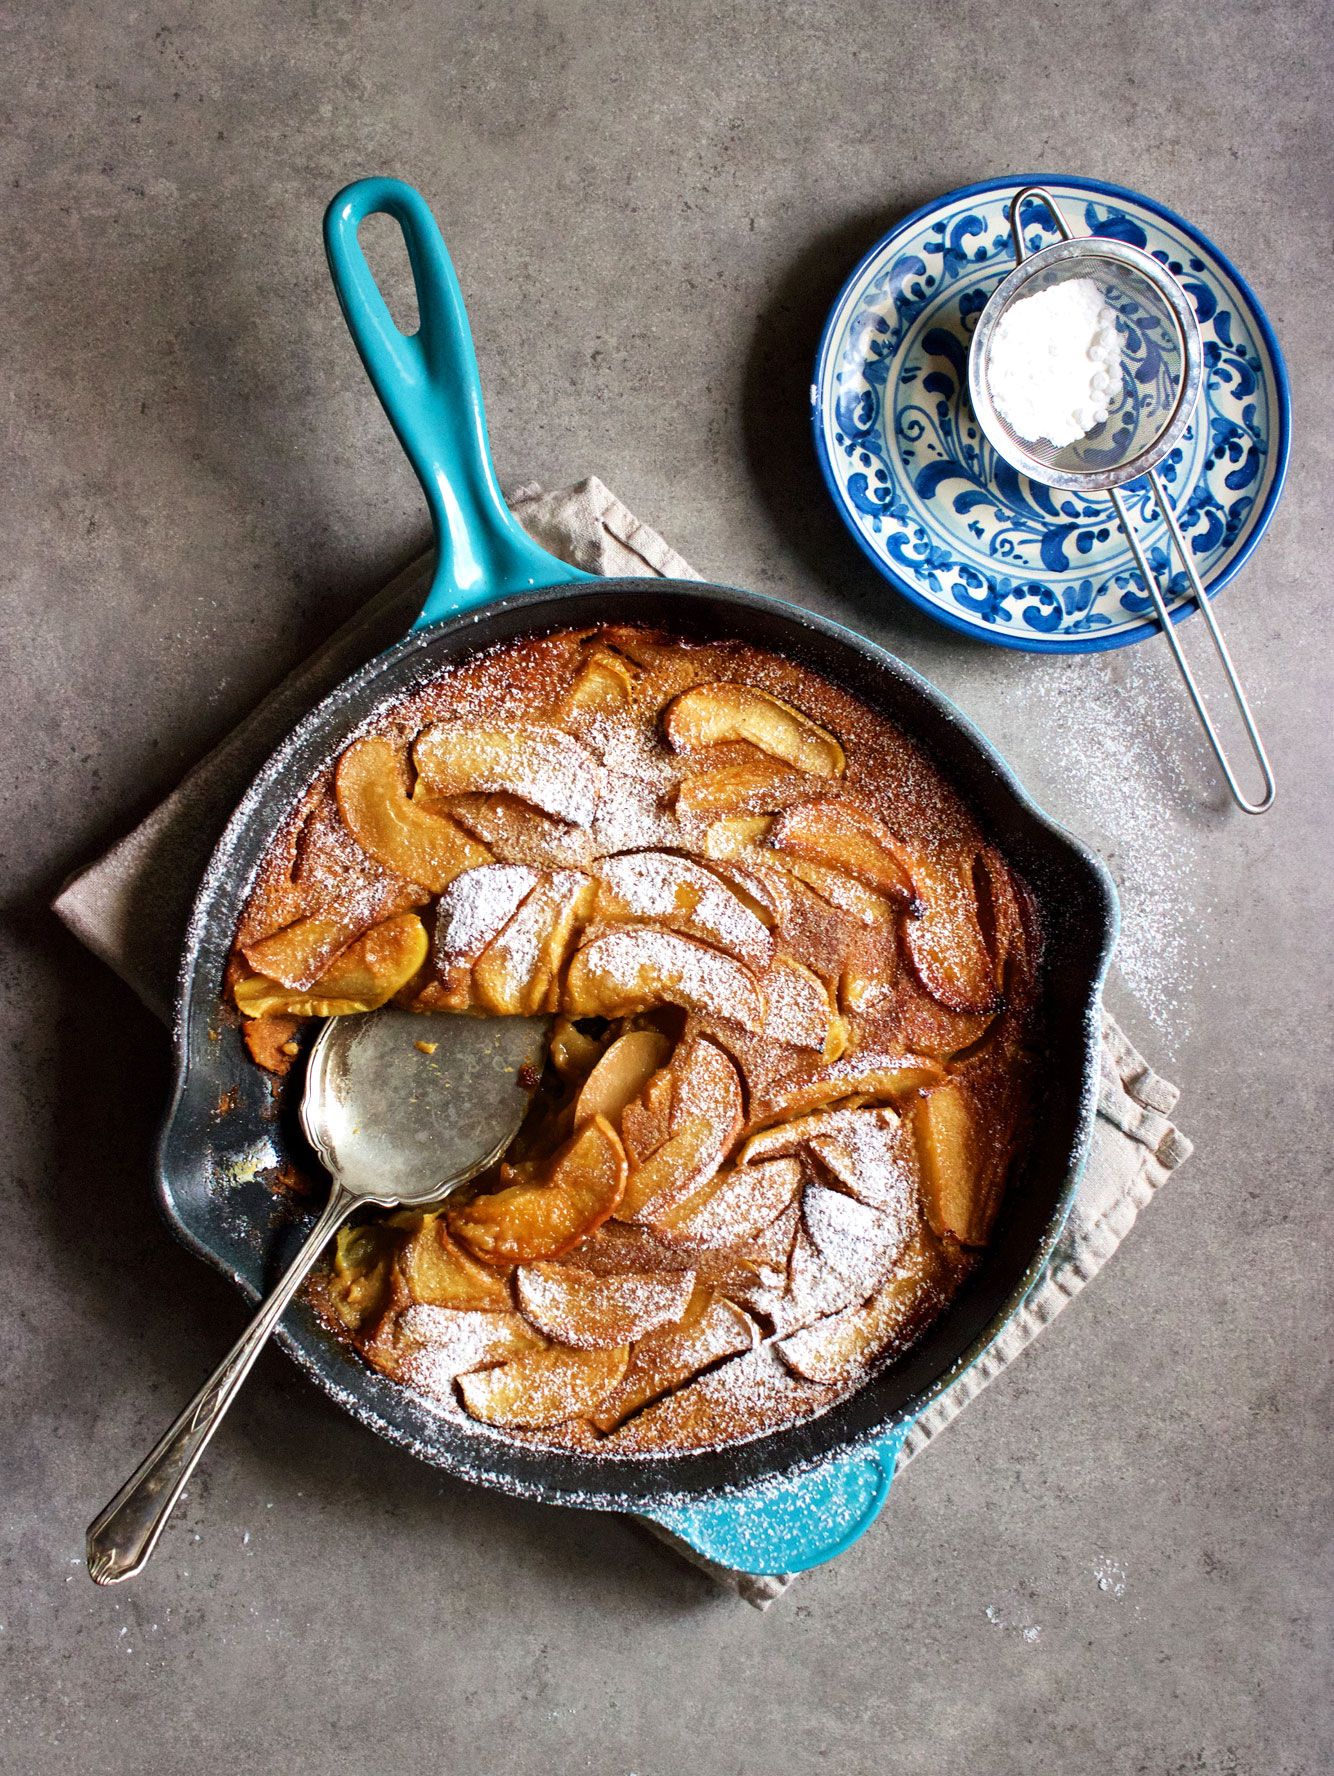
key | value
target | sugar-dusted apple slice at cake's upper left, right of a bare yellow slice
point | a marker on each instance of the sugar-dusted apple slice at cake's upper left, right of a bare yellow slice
(541, 766)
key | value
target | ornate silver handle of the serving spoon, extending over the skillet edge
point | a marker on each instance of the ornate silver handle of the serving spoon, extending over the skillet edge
(123, 1535)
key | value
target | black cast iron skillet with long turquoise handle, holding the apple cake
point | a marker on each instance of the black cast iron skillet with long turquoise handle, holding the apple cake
(493, 583)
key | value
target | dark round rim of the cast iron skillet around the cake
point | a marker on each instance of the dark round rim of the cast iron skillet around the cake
(637, 1482)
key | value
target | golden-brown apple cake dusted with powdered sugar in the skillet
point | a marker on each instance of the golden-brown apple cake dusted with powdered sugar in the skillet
(795, 999)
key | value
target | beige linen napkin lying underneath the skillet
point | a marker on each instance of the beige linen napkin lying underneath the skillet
(132, 908)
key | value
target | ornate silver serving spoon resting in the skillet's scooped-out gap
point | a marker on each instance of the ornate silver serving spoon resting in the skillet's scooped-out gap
(402, 1109)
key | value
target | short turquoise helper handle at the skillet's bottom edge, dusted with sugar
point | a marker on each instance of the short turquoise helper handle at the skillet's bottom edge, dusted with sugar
(791, 1525)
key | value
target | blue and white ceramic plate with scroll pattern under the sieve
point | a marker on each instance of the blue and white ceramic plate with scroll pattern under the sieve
(955, 528)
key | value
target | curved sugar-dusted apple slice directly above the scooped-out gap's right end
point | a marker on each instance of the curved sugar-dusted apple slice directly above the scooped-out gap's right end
(640, 967)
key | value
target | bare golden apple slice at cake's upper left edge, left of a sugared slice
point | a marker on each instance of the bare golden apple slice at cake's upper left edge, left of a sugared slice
(392, 829)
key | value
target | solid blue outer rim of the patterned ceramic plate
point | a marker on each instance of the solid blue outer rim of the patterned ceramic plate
(1031, 640)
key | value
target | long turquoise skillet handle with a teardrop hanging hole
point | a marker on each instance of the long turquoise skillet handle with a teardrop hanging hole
(429, 386)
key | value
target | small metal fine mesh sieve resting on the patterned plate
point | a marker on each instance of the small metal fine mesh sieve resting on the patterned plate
(1148, 415)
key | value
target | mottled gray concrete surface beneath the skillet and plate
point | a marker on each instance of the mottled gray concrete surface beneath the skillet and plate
(651, 209)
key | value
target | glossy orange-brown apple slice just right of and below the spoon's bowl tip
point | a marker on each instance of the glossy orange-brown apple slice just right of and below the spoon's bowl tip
(546, 1219)
